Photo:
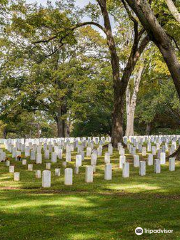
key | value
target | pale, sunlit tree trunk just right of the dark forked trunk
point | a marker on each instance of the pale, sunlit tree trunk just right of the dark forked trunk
(131, 103)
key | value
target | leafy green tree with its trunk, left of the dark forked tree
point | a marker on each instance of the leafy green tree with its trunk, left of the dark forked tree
(54, 73)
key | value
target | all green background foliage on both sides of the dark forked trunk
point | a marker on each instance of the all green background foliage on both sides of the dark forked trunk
(49, 69)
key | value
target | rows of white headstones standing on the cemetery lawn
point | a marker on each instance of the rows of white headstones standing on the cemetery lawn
(156, 146)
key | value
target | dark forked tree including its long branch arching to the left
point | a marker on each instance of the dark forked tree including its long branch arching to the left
(119, 83)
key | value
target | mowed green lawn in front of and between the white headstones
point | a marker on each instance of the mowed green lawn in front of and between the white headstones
(99, 210)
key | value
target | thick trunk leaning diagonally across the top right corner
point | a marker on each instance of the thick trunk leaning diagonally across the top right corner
(161, 39)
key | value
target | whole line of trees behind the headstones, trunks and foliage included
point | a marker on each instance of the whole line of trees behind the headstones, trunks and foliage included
(63, 76)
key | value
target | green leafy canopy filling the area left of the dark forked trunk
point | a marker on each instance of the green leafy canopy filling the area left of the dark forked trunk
(53, 79)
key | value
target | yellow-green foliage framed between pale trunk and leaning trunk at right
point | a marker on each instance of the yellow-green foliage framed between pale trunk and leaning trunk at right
(158, 103)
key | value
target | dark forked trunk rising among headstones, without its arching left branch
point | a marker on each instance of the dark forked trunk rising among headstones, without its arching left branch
(120, 85)
